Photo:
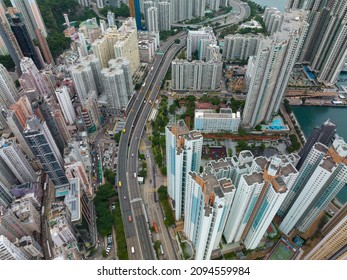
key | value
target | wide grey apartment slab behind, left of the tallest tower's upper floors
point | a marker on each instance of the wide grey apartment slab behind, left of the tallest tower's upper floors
(240, 47)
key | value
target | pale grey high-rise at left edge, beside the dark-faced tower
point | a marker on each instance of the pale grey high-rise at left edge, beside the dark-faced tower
(16, 161)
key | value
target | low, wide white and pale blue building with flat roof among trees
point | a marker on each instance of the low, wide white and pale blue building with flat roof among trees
(207, 120)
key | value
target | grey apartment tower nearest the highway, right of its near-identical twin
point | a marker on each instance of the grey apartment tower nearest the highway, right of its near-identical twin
(117, 83)
